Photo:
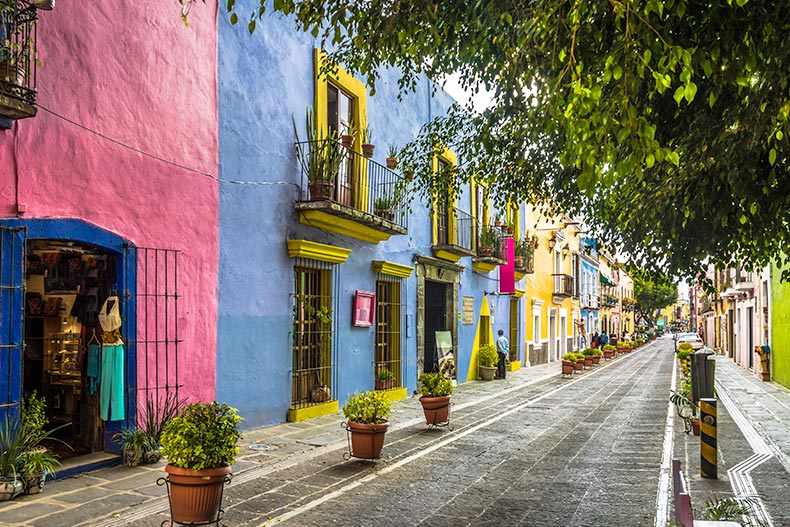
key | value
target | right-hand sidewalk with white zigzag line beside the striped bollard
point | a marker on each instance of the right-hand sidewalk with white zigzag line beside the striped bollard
(753, 444)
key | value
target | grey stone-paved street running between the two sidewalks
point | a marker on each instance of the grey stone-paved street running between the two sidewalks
(581, 452)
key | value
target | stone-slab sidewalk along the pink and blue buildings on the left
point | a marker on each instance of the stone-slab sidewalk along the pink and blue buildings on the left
(119, 495)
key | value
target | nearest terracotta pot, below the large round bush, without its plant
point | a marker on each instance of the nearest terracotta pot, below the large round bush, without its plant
(196, 495)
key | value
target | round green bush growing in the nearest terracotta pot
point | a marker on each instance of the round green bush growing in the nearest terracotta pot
(203, 435)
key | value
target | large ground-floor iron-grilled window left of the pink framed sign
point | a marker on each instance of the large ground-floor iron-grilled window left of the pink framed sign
(313, 331)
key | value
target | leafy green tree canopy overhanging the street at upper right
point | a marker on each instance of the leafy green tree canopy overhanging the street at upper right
(663, 122)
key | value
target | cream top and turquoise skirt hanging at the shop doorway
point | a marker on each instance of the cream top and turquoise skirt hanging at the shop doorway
(111, 404)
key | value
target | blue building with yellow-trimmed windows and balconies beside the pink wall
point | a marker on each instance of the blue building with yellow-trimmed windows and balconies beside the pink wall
(317, 294)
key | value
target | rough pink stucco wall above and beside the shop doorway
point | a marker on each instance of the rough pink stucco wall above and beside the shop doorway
(132, 72)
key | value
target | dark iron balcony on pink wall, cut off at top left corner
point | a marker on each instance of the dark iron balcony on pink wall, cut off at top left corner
(17, 59)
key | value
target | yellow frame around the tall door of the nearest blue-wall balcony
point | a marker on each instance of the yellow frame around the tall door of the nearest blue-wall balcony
(356, 90)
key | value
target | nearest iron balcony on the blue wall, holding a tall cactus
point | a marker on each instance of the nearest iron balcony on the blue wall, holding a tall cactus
(371, 196)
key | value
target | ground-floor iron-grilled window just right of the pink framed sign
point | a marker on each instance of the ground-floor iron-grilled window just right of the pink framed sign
(388, 328)
